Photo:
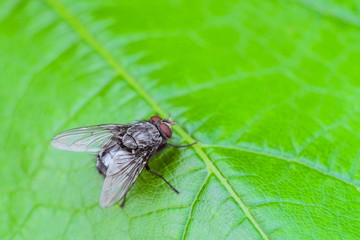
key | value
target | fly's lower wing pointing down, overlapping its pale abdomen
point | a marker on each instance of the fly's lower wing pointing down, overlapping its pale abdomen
(121, 175)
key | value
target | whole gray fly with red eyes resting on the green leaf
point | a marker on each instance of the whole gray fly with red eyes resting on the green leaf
(123, 152)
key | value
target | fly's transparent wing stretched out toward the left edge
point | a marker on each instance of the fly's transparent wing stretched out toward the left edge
(86, 139)
